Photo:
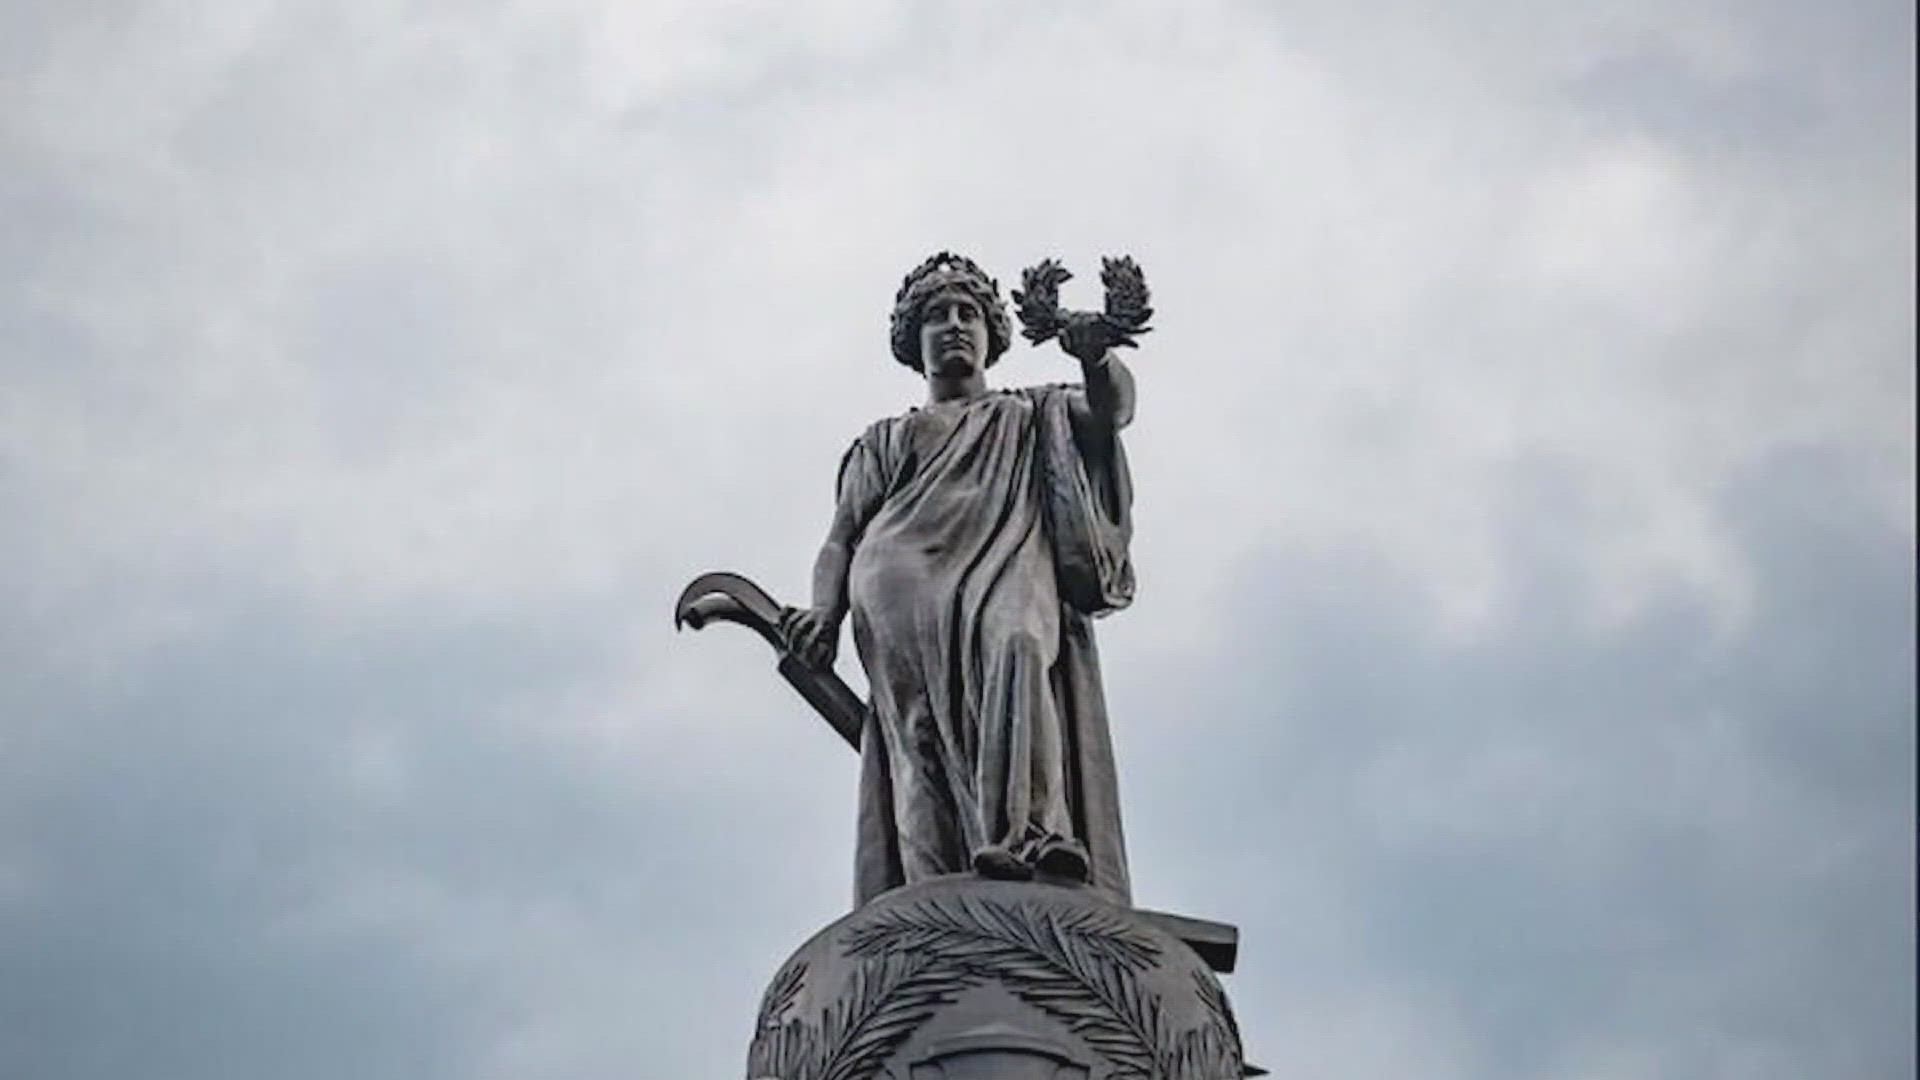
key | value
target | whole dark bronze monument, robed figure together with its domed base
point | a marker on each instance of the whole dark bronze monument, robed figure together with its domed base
(974, 541)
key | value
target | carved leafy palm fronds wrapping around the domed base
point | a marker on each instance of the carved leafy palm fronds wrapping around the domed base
(1082, 968)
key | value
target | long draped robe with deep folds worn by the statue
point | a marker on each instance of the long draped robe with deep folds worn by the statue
(990, 539)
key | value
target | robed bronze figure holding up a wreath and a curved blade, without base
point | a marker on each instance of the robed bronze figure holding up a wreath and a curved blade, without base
(972, 543)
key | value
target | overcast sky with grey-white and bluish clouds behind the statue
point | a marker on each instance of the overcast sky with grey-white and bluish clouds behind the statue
(1525, 516)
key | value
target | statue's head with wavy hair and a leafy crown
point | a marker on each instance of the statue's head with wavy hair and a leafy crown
(967, 312)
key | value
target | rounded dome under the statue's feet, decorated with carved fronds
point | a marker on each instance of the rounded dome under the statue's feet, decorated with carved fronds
(972, 979)
